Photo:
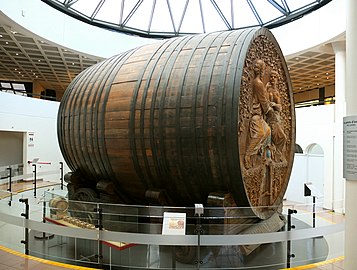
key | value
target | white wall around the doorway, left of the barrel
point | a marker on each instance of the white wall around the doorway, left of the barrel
(38, 119)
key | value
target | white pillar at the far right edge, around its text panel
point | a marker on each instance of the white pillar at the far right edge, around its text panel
(351, 109)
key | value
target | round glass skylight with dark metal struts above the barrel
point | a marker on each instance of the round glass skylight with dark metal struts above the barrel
(169, 18)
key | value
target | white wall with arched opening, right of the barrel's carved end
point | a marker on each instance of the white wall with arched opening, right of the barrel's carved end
(316, 125)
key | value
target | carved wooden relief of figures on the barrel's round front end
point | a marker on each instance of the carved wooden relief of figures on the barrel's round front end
(265, 124)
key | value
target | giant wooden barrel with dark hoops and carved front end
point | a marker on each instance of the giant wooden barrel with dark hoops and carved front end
(190, 116)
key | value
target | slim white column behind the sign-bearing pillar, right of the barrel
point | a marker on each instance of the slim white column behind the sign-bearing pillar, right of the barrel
(338, 182)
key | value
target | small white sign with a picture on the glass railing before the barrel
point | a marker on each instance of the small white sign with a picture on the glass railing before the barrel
(174, 223)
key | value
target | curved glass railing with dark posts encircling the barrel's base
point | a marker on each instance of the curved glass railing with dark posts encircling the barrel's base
(117, 236)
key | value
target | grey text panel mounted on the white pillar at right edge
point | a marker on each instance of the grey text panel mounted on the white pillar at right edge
(350, 147)
